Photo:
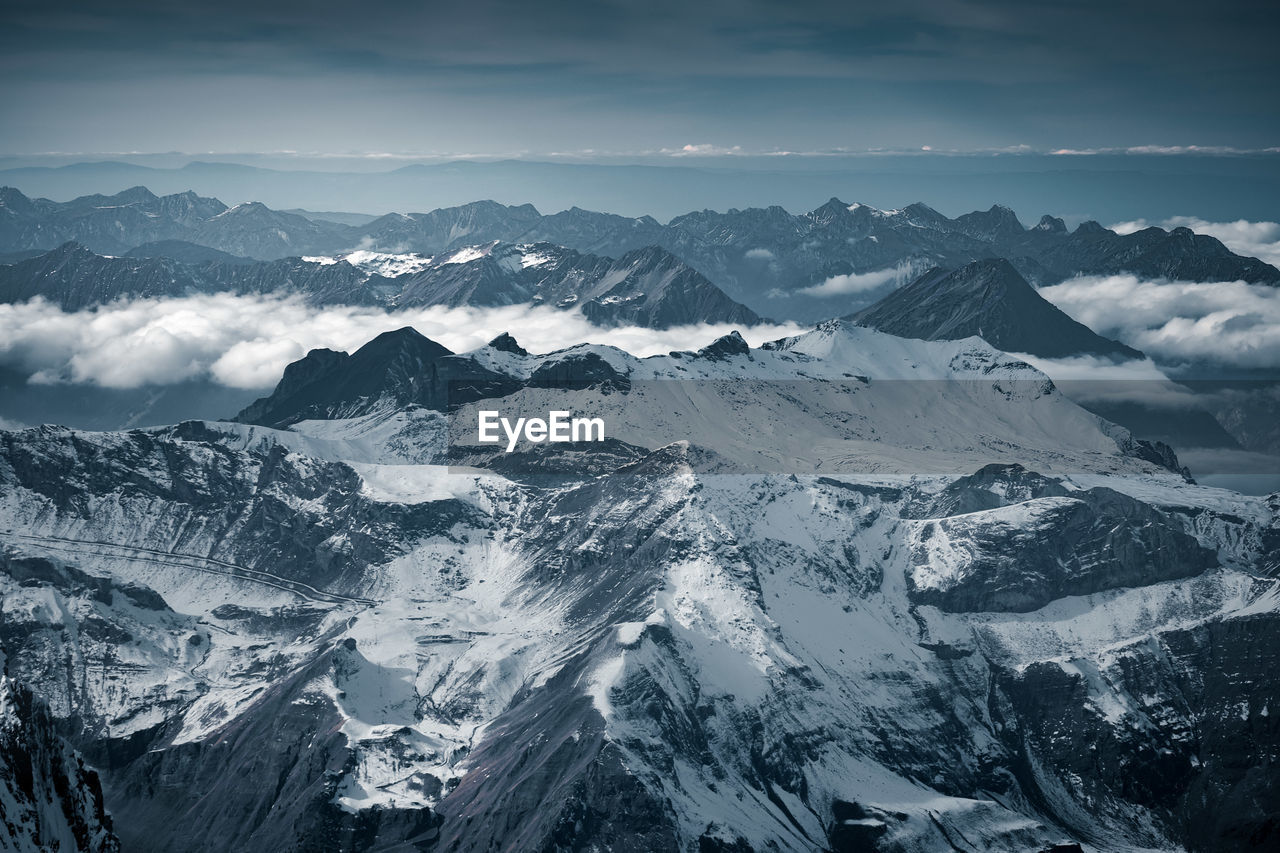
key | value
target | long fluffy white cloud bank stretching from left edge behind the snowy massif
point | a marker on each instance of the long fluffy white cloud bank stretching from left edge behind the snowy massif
(246, 341)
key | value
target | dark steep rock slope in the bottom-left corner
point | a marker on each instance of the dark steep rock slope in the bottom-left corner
(49, 800)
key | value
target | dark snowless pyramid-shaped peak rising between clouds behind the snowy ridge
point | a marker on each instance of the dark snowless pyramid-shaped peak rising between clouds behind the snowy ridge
(991, 300)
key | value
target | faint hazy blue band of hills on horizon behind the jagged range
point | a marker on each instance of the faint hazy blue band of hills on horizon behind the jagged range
(1109, 189)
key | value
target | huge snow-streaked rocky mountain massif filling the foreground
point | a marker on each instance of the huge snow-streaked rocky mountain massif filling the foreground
(953, 610)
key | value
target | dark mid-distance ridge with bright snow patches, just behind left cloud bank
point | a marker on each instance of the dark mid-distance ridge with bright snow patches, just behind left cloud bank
(646, 288)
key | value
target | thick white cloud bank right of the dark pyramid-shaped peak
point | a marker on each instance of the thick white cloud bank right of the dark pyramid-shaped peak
(1176, 323)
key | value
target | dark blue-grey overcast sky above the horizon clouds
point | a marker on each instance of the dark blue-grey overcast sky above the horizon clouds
(536, 79)
